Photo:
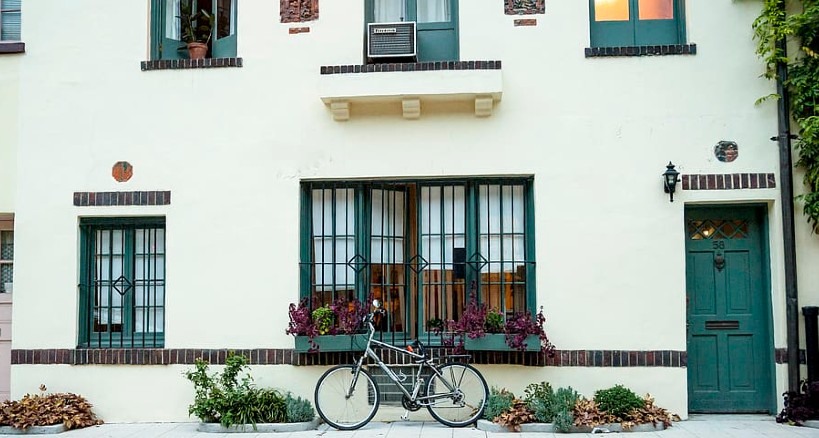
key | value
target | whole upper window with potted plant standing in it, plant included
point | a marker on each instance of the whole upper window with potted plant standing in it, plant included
(175, 24)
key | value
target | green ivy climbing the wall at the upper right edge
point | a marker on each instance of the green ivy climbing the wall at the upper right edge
(800, 28)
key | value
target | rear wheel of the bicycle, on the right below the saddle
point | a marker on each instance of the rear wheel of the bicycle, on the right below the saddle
(457, 395)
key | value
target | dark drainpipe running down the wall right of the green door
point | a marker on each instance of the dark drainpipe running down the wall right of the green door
(788, 234)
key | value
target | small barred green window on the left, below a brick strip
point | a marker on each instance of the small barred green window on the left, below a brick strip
(122, 282)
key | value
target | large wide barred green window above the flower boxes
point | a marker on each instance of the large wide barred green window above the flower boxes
(419, 246)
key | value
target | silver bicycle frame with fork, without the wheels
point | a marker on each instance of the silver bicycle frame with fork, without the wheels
(422, 360)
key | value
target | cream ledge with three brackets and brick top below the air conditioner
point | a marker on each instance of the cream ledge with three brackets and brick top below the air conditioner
(410, 84)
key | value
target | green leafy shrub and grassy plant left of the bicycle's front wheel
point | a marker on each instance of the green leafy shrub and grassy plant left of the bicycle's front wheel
(231, 398)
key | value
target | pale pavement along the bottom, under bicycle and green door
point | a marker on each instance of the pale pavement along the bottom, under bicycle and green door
(699, 426)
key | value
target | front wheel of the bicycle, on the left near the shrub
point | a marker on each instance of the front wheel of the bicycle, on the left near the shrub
(343, 403)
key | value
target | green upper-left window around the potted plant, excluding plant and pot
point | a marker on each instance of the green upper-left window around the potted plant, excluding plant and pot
(166, 33)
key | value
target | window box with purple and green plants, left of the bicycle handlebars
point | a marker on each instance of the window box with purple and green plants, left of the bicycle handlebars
(332, 327)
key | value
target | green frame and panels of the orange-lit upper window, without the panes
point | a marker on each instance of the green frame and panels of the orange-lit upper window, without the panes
(629, 30)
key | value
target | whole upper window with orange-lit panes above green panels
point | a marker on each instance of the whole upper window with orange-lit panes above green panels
(621, 23)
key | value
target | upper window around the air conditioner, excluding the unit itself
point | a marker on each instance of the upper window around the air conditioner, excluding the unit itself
(436, 25)
